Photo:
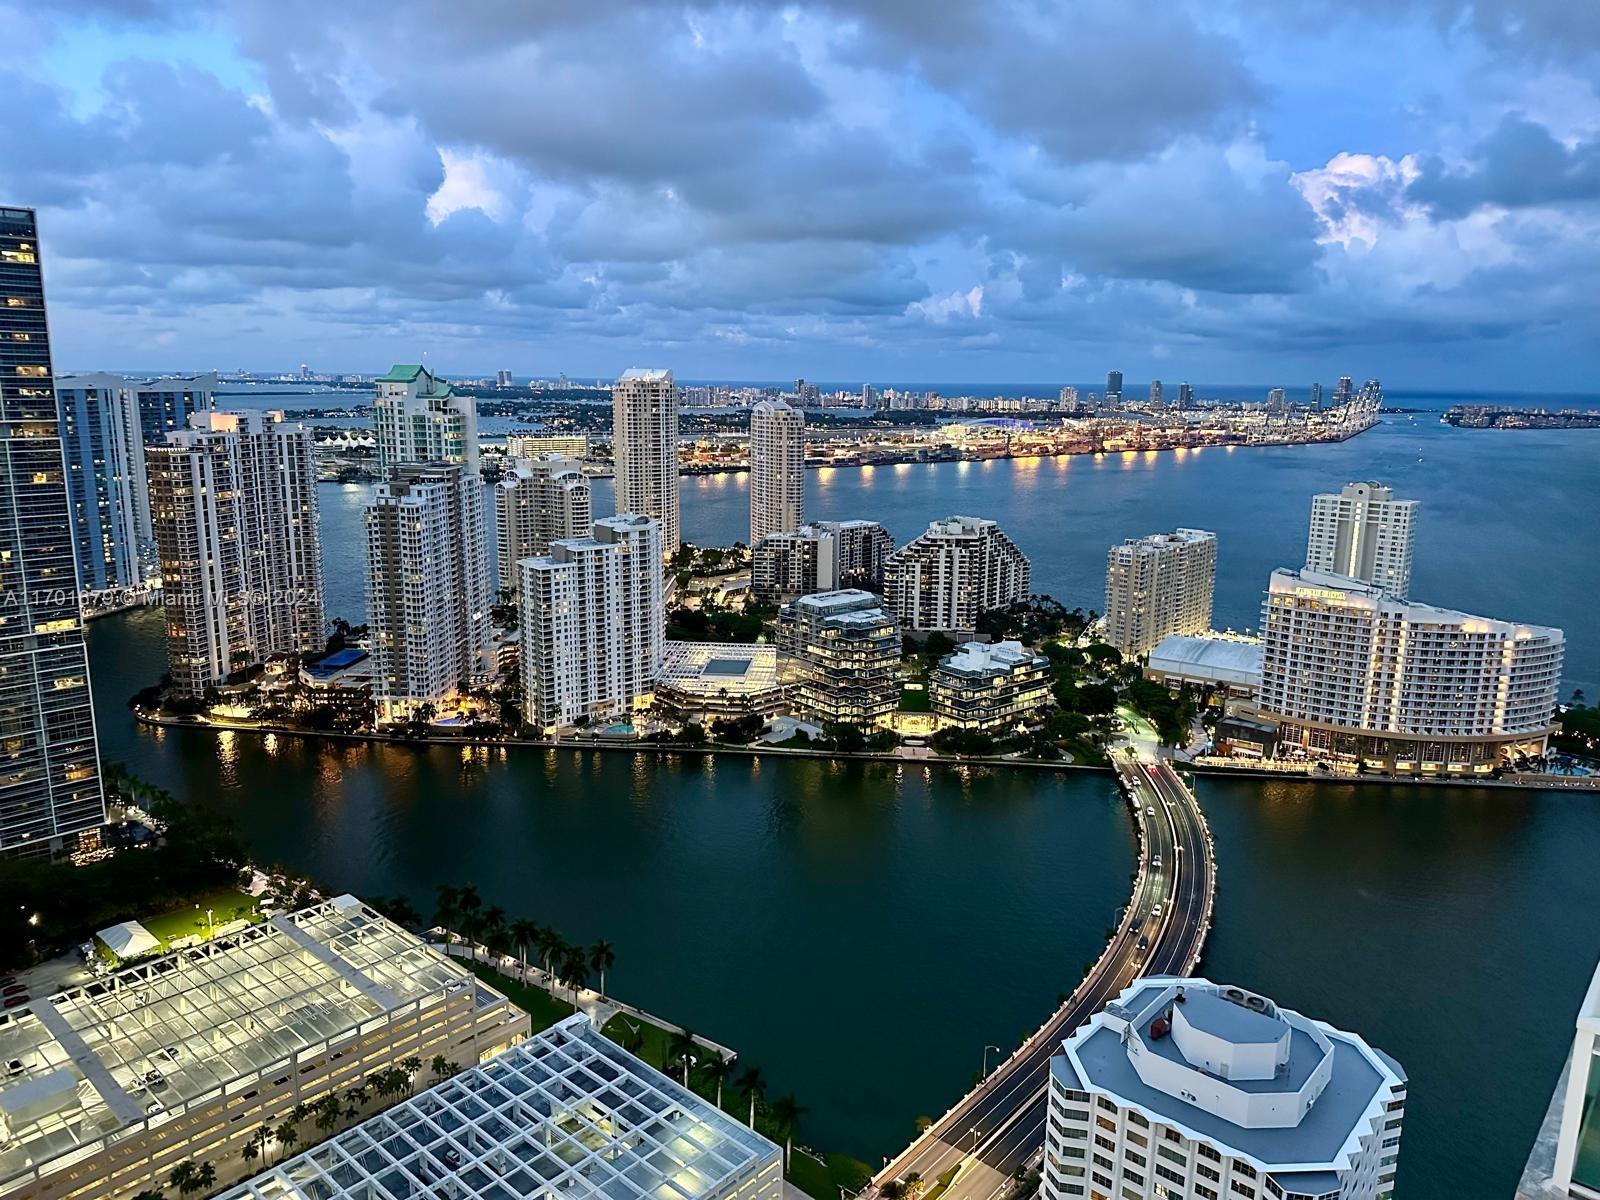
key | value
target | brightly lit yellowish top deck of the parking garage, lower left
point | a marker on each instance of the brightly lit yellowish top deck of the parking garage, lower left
(138, 1047)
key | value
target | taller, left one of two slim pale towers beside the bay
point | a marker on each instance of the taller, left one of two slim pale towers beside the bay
(646, 449)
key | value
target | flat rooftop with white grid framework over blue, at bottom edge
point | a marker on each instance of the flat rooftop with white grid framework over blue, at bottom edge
(566, 1113)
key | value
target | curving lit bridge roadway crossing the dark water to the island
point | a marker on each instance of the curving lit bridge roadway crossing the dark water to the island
(1001, 1124)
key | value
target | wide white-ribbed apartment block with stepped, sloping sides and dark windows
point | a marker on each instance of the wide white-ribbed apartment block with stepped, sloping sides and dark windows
(954, 574)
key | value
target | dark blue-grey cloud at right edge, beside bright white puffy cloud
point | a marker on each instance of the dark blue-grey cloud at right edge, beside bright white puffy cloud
(1516, 167)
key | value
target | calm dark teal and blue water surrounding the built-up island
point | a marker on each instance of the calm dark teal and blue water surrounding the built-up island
(863, 932)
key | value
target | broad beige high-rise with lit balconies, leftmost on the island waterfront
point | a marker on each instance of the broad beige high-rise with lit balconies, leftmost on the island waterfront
(234, 500)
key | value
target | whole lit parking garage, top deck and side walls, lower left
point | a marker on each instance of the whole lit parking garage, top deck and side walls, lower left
(188, 1057)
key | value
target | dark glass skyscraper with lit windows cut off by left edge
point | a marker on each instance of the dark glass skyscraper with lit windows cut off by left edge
(50, 793)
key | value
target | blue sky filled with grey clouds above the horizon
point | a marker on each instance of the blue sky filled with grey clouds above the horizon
(865, 190)
